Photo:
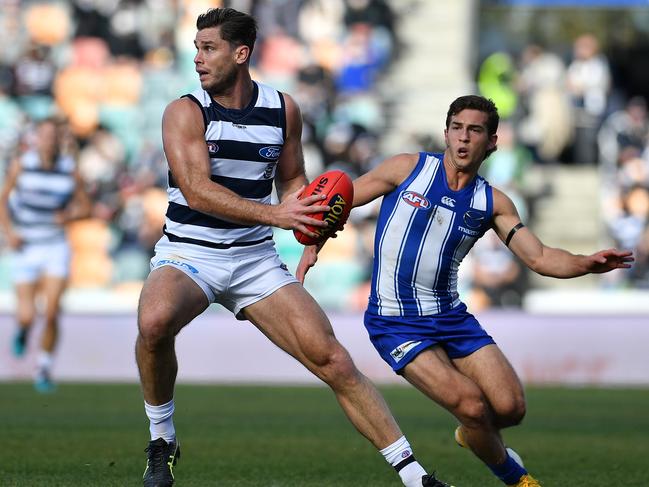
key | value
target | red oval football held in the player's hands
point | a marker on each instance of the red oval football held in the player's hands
(338, 188)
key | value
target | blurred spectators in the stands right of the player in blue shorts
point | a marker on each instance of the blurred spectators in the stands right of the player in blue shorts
(568, 111)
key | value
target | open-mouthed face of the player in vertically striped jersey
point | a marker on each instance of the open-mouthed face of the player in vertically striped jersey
(467, 139)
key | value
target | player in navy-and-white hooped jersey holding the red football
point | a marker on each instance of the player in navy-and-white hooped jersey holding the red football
(225, 144)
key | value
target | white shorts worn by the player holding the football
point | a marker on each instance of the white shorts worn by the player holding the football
(235, 278)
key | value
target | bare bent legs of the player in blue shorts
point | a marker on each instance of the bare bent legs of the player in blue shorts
(481, 391)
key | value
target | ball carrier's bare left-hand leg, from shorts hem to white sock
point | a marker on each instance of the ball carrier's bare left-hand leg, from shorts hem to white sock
(169, 300)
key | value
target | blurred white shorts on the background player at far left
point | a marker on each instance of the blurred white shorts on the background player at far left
(34, 260)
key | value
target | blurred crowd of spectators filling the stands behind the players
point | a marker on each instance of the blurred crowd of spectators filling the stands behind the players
(109, 67)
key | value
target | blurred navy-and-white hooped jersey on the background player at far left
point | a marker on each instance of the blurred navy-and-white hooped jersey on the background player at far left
(38, 195)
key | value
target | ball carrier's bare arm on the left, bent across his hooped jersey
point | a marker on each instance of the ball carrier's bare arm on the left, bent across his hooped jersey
(184, 144)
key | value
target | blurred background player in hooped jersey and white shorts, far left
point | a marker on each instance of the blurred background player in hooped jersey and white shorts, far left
(42, 191)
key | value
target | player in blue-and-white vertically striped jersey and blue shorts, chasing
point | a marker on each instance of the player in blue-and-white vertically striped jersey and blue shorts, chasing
(435, 206)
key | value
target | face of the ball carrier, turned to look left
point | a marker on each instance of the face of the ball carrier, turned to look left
(217, 62)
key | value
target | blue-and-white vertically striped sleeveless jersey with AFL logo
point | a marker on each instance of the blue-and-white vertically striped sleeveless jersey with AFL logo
(423, 232)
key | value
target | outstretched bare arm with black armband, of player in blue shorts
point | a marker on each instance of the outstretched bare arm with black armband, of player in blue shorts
(549, 261)
